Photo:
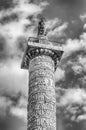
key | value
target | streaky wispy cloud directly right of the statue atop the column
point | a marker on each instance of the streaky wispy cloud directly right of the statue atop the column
(56, 29)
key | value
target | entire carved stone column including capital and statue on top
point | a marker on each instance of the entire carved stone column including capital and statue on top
(41, 58)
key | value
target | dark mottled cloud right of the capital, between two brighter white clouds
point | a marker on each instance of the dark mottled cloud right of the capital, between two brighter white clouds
(74, 70)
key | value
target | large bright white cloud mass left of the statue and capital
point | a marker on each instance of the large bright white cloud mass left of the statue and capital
(16, 24)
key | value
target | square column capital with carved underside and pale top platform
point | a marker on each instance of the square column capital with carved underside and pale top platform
(41, 46)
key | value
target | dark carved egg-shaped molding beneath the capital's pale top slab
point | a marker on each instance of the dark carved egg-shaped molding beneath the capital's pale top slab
(34, 51)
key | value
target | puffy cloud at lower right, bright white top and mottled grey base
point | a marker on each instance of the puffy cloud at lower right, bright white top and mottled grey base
(72, 103)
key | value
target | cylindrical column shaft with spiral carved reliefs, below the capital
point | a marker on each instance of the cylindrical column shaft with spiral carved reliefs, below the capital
(42, 100)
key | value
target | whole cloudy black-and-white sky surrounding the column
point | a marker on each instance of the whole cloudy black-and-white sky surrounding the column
(65, 22)
